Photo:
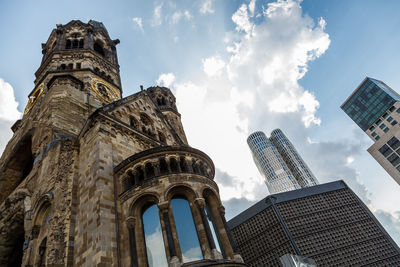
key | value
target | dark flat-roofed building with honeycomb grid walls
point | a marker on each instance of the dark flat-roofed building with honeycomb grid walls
(327, 223)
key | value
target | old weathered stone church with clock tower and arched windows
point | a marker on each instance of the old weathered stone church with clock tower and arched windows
(93, 179)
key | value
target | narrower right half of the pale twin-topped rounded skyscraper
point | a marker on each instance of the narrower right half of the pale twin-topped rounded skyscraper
(296, 164)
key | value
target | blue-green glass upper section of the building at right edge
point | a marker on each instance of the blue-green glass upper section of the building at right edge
(369, 101)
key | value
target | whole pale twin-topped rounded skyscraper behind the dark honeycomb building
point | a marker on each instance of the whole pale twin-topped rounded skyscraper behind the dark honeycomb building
(279, 163)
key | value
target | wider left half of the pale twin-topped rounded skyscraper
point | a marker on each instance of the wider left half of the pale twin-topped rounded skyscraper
(271, 165)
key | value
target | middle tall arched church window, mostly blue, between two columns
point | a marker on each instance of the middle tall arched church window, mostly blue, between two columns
(186, 230)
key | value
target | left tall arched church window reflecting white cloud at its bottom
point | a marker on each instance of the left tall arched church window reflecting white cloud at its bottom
(155, 248)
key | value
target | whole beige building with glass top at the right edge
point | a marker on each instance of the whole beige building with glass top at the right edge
(375, 108)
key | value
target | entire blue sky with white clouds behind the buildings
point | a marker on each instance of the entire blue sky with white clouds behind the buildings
(235, 67)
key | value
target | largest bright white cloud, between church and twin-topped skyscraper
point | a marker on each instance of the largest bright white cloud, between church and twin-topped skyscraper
(254, 88)
